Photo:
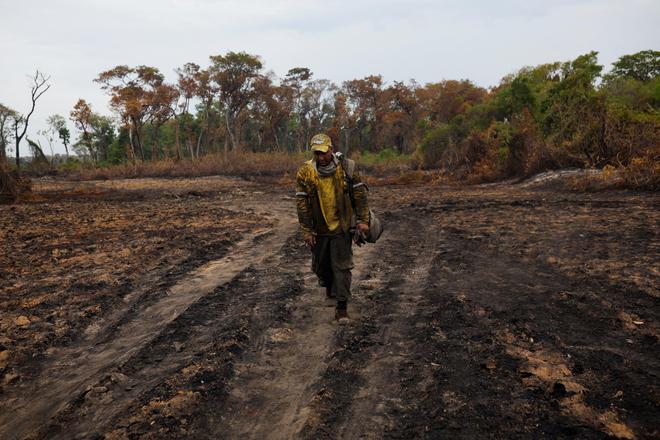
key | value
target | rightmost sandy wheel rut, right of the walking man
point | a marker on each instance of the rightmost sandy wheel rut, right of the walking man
(376, 402)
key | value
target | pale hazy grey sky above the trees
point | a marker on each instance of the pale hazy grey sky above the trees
(74, 40)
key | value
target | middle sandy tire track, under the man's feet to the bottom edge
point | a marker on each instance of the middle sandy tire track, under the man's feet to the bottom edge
(278, 375)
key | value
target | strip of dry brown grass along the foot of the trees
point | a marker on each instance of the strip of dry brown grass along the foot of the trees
(642, 173)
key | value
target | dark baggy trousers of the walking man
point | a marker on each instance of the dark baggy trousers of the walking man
(332, 261)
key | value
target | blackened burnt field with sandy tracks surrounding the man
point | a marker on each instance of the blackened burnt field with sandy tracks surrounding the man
(185, 309)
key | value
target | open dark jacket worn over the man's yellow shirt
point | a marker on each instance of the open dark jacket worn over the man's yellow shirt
(310, 215)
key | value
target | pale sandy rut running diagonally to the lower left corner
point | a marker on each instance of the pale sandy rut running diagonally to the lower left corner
(76, 370)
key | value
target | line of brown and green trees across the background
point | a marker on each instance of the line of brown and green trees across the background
(552, 115)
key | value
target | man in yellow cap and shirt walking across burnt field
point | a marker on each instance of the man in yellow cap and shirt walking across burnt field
(327, 197)
